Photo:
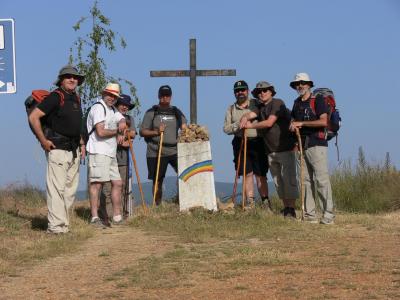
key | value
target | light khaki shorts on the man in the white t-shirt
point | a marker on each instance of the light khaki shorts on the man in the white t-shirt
(103, 168)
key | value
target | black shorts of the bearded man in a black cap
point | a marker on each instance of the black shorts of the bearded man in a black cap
(256, 161)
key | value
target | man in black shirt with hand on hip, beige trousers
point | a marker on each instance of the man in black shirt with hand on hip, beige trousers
(62, 142)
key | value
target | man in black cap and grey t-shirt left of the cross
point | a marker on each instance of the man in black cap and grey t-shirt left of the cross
(162, 118)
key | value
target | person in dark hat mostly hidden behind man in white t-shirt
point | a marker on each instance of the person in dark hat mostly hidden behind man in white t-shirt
(124, 105)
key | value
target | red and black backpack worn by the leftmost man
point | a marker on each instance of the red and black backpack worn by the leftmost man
(37, 97)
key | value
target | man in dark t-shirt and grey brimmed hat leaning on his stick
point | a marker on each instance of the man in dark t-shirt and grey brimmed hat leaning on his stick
(279, 142)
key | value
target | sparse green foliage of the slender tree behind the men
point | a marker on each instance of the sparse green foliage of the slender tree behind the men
(86, 55)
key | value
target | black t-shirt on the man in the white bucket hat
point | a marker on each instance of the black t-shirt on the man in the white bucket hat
(302, 112)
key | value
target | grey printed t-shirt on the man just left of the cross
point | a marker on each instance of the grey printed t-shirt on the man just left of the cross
(152, 120)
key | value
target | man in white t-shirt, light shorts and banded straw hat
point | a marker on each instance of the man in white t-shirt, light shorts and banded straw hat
(106, 128)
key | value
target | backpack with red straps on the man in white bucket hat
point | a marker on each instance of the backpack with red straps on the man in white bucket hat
(334, 119)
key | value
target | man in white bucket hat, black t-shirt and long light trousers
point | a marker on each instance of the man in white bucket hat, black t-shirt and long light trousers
(312, 124)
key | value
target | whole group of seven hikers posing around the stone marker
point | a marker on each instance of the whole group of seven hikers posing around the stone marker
(108, 129)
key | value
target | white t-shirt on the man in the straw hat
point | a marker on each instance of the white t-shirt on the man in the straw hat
(96, 144)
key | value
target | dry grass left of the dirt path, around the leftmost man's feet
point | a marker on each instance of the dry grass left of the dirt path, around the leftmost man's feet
(23, 224)
